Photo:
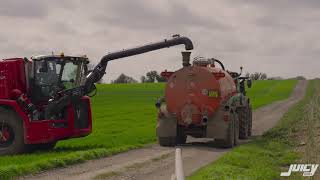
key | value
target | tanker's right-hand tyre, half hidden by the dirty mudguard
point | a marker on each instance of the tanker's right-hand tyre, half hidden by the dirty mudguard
(229, 142)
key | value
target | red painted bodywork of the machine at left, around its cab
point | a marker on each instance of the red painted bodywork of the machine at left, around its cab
(13, 77)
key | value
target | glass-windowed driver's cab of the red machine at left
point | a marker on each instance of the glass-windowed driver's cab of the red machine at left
(51, 74)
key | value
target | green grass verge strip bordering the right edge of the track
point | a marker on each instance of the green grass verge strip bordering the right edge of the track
(266, 156)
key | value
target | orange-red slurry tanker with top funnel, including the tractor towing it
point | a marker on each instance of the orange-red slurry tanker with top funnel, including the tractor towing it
(204, 101)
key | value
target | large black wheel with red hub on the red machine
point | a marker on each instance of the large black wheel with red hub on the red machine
(11, 133)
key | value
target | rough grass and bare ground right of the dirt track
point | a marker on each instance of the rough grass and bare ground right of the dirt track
(267, 156)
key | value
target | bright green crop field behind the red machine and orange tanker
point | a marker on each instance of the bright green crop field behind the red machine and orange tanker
(124, 117)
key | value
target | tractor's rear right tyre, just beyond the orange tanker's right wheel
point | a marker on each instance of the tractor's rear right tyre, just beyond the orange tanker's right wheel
(243, 114)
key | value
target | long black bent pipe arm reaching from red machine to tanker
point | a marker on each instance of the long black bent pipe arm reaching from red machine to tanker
(99, 70)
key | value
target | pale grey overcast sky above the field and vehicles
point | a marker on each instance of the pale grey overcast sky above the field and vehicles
(279, 37)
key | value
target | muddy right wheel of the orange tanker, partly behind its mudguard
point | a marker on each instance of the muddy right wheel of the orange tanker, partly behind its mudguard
(232, 136)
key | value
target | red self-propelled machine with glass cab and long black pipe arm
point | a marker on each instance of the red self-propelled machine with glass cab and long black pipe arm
(46, 98)
